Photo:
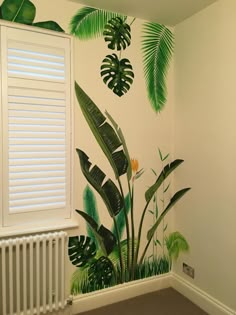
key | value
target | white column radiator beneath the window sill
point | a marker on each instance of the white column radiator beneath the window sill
(32, 275)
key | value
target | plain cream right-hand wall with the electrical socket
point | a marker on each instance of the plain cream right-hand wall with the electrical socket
(205, 135)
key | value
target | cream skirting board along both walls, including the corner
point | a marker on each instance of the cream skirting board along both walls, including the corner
(86, 302)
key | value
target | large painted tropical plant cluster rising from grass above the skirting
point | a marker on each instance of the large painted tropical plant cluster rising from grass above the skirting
(104, 258)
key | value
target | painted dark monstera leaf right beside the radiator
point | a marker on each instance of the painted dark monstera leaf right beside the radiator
(81, 250)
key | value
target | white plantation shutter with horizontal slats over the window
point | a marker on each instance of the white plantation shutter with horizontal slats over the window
(36, 109)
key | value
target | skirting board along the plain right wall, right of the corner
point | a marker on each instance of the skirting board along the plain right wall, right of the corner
(199, 297)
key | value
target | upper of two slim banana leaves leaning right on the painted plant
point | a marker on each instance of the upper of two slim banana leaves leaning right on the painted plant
(167, 170)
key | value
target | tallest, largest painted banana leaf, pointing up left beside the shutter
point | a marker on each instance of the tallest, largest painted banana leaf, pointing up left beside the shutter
(103, 132)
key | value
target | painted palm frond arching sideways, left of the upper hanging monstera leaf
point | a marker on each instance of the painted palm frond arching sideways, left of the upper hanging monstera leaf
(89, 22)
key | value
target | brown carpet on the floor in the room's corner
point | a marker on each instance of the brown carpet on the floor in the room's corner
(163, 302)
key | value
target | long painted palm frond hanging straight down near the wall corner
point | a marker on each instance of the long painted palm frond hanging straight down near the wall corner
(157, 47)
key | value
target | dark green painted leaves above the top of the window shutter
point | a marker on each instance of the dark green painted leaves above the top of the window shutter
(24, 11)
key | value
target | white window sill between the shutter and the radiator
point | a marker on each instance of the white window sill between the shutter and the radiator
(33, 228)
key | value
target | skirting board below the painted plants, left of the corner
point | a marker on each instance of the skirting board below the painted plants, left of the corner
(89, 301)
